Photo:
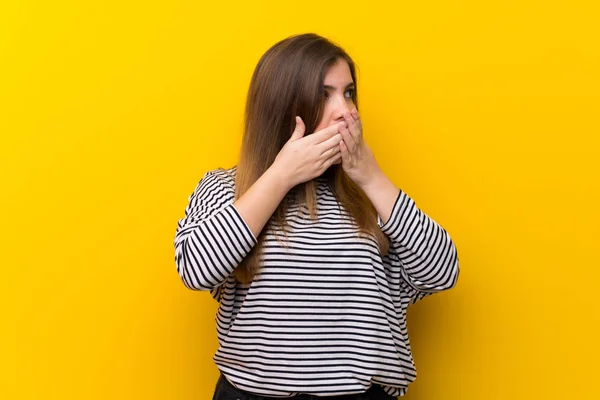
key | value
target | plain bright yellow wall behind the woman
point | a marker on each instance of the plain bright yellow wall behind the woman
(110, 113)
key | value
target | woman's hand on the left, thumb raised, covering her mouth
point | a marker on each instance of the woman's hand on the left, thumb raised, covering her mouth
(304, 158)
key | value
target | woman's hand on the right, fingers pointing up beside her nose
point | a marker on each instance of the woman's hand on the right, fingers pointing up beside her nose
(358, 161)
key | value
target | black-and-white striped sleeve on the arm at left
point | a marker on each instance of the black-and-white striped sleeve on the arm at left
(213, 238)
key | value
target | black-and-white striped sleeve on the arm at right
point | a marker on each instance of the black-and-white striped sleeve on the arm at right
(422, 249)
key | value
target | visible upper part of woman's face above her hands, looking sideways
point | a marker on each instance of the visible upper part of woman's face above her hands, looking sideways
(338, 89)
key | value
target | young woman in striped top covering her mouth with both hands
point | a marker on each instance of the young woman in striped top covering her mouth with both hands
(312, 252)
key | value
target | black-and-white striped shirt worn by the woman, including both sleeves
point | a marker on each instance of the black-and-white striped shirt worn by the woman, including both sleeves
(325, 315)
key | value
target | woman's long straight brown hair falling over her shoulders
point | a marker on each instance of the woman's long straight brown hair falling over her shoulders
(288, 81)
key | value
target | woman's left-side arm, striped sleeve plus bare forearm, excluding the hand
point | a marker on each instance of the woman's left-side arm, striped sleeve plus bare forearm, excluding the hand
(216, 232)
